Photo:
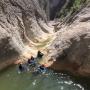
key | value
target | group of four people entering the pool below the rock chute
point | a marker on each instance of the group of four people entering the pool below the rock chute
(32, 62)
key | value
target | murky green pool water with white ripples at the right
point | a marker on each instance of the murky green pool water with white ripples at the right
(11, 80)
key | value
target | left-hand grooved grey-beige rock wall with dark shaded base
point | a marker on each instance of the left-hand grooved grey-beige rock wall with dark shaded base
(19, 26)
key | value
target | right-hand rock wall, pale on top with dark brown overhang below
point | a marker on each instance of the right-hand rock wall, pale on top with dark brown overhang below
(71, 48)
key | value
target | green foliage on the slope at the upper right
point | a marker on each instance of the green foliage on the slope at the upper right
(72, 6)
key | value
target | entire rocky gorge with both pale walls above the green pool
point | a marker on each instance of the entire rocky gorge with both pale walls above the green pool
(59, 28)
